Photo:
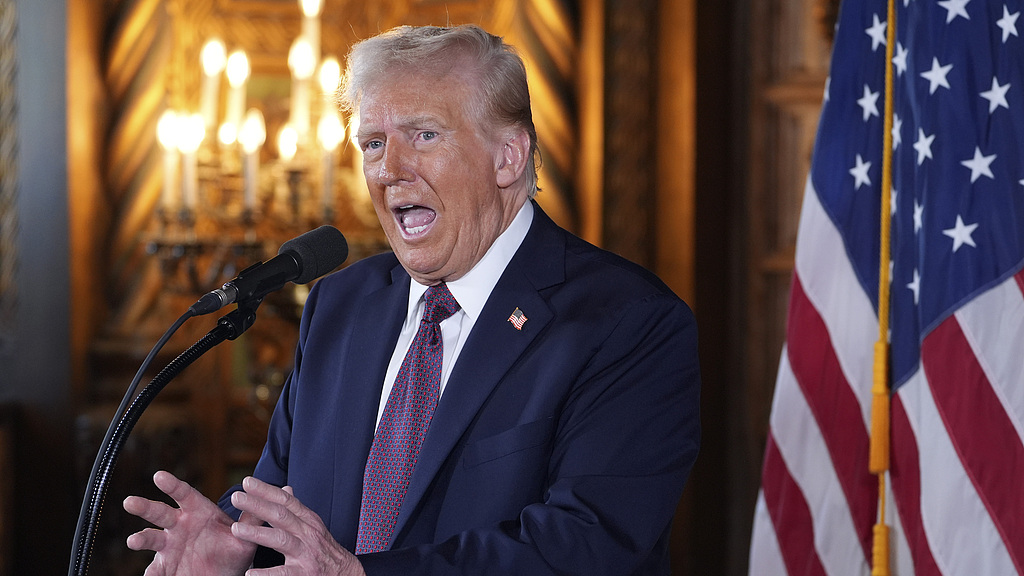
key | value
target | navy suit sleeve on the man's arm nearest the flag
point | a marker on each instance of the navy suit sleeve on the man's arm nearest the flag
(626, 441)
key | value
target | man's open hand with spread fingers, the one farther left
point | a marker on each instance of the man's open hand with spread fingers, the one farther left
(195, 539)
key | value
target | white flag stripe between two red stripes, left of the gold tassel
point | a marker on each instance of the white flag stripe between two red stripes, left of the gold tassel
(805, 452)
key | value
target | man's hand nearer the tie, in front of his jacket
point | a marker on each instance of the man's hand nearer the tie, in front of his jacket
(295, 531)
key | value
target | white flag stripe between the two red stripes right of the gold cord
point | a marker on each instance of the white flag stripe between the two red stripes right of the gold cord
(963, 538)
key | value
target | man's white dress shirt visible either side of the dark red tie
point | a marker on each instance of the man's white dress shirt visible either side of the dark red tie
(472, 292)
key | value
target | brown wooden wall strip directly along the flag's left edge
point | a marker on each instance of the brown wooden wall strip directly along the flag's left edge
(790, 57)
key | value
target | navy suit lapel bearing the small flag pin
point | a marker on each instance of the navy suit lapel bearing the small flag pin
(493, 348)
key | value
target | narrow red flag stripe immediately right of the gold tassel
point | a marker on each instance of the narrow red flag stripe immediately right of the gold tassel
(906, 478)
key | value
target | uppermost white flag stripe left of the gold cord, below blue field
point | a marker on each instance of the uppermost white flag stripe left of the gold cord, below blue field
(832, 286)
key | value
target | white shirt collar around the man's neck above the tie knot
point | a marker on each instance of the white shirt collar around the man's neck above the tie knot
(473, 291)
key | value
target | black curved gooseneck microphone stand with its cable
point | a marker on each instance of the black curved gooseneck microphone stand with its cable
(229, 328)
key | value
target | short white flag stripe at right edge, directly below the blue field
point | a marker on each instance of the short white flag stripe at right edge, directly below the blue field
(994, 325)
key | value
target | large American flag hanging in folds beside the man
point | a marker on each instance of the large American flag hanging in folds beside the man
(955, 492)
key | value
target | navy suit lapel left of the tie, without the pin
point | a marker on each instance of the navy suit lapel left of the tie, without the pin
(374, 333)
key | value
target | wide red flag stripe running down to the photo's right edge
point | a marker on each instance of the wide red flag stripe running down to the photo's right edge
(983, 434)
